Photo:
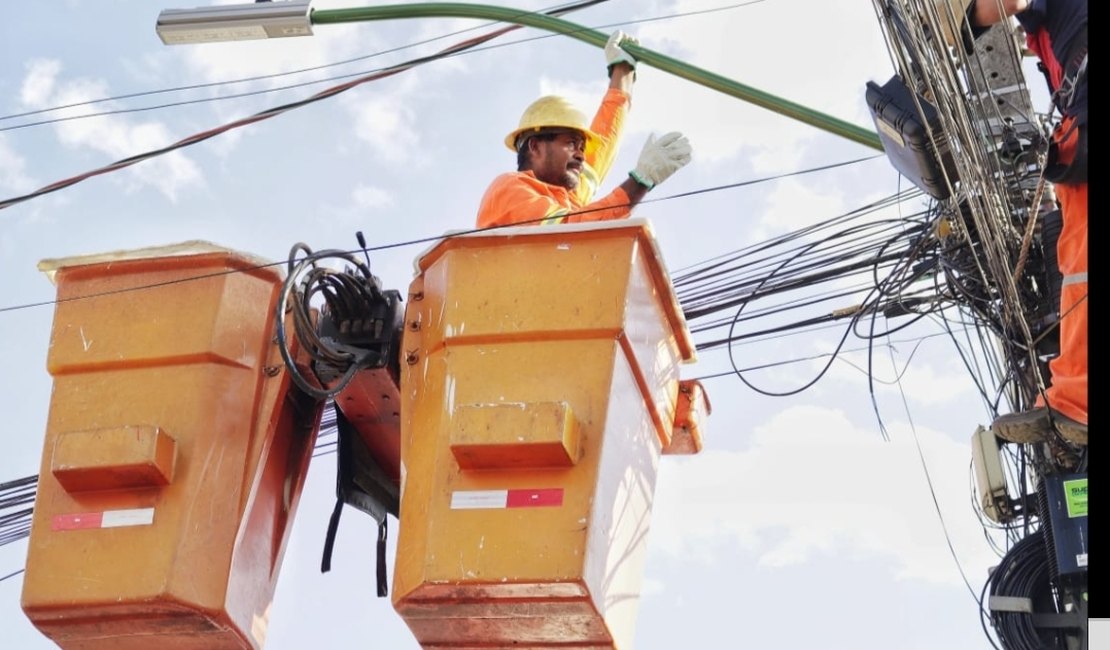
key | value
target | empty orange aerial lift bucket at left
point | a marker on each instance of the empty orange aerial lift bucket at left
(175, 453)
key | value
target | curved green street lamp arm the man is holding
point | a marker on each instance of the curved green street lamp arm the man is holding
(598, 39)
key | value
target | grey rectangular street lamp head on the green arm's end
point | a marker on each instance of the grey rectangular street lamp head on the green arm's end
(235, 23)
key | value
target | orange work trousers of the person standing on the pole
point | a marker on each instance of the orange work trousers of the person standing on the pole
(1068, 390)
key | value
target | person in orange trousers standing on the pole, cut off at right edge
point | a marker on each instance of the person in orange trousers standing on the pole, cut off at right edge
(1056, 32)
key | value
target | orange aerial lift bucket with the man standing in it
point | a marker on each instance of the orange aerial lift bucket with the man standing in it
(540, 387)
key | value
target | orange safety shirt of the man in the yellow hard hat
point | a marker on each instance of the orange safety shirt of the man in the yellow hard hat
(521, 197)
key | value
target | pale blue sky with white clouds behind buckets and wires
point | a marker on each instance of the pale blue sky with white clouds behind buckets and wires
(801, 525)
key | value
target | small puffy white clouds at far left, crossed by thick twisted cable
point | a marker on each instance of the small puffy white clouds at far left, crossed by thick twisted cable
(114, 136)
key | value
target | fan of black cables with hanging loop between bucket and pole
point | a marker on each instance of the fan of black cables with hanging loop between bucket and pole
(853, 268)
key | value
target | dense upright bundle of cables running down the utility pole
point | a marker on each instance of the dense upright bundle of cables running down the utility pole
(993, 146)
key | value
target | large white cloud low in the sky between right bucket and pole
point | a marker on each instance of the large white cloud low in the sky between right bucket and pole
(814, 485)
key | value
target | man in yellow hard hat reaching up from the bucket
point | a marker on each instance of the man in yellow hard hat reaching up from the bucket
(562, 160)
